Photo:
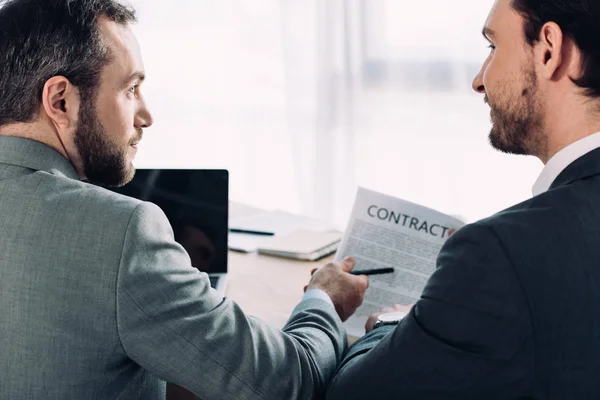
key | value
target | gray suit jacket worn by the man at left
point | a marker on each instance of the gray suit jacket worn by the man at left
(99, 302)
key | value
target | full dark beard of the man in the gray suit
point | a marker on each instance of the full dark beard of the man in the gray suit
(104, 162)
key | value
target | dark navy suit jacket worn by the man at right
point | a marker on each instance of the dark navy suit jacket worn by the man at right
(512, 311)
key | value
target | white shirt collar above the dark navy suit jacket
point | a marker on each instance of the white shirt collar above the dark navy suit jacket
(563, 159)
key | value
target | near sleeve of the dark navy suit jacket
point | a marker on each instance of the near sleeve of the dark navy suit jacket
(468, 337)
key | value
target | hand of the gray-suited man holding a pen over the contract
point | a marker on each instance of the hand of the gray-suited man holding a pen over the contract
(346, 290)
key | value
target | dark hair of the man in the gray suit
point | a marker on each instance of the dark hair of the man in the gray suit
(40, 39)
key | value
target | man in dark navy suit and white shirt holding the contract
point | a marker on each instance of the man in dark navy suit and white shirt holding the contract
(513, 309)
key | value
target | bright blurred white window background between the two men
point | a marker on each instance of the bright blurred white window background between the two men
(303, 100)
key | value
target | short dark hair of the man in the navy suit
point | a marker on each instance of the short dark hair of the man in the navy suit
(579, 20)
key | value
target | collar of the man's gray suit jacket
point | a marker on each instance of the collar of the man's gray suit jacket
(34, 155)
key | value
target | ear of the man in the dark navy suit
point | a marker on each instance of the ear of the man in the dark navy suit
(549, 50)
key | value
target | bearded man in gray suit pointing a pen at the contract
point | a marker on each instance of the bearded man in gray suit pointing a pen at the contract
(98, 301)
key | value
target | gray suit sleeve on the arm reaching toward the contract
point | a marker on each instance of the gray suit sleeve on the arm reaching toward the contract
(173, 324)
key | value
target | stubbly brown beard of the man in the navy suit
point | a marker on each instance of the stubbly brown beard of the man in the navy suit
(518, 125)
